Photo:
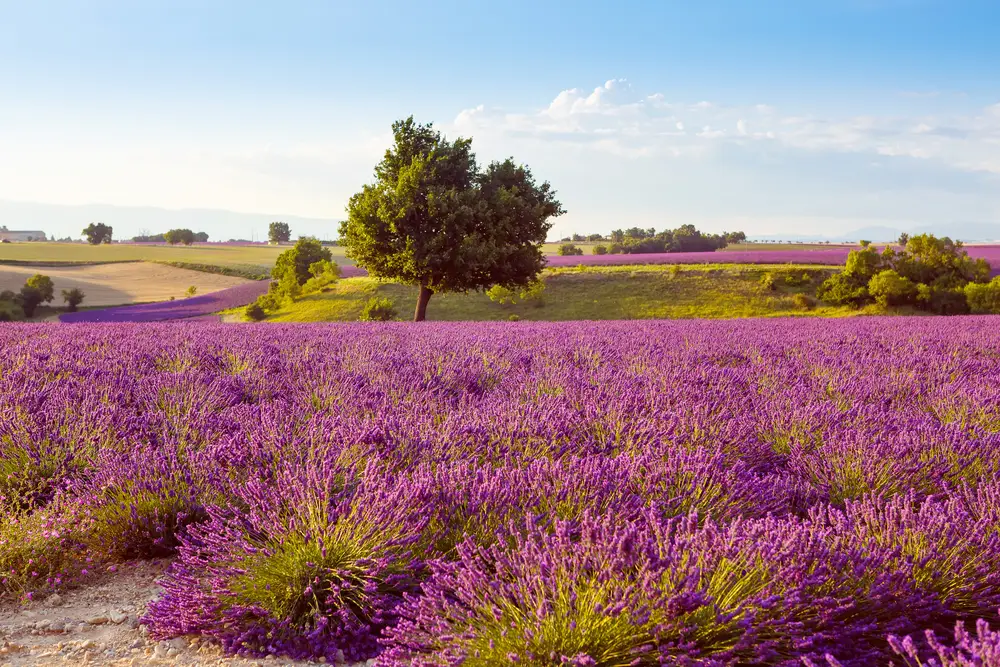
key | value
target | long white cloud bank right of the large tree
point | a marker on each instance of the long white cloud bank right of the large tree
(614, 118)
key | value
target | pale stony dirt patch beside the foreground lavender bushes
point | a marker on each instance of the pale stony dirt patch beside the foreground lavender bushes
(98, 625)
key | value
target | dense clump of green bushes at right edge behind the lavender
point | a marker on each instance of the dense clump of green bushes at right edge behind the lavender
(927, 273)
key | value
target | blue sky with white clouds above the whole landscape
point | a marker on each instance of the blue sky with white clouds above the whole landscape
(770, 116)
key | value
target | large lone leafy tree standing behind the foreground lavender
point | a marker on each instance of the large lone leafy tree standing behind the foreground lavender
(433, 219)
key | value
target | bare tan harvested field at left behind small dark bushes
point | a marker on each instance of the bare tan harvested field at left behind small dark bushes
(121, 283)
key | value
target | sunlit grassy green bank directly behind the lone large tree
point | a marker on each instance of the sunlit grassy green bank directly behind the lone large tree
(593, 293)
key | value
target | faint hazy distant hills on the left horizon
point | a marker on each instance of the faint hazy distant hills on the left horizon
(128, 221)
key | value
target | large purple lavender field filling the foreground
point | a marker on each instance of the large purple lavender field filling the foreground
(700, 493)
